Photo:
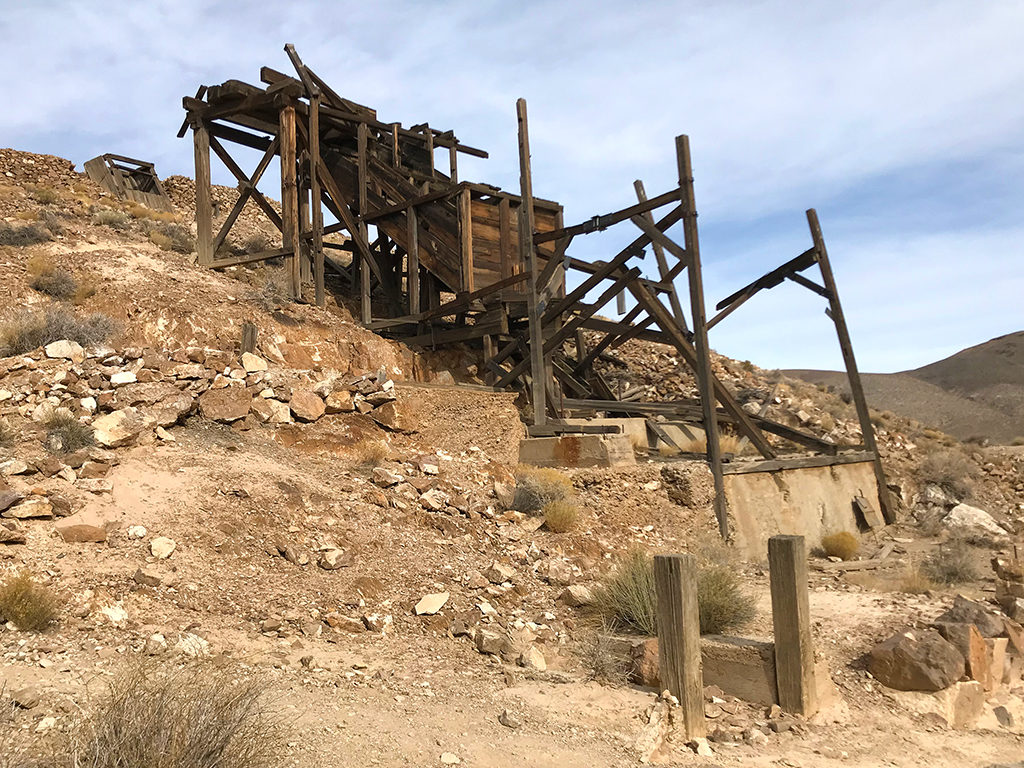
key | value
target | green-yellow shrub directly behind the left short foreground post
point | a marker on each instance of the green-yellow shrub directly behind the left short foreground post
(627, 598)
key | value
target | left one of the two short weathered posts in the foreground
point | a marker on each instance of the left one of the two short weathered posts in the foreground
(679, 638)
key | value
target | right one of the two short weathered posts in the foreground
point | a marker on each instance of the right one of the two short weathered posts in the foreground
(792, 622)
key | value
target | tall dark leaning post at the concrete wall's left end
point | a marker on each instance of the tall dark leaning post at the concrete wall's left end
(705, 375)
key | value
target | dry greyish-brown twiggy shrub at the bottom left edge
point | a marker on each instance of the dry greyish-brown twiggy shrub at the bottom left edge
(199, 716)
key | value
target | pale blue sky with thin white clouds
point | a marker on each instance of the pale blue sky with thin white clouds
(903, 123)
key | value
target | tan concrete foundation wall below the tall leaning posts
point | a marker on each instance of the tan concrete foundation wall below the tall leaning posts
(812, 502)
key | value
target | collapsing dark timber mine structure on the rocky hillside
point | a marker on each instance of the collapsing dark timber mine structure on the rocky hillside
(458, 263)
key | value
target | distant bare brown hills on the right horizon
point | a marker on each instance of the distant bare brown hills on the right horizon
(977, 393)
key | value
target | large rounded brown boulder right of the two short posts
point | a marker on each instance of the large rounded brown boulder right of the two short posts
(917, 660)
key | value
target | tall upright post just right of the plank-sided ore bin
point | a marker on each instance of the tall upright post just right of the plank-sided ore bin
(529, 258)
